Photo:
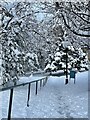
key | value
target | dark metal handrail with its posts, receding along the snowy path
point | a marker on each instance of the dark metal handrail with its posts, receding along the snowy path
(11, 88)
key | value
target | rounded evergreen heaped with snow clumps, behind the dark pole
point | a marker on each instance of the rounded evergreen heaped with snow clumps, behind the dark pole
(76, 59)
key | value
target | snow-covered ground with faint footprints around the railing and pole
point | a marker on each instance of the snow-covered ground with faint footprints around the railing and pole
(55, 100)
